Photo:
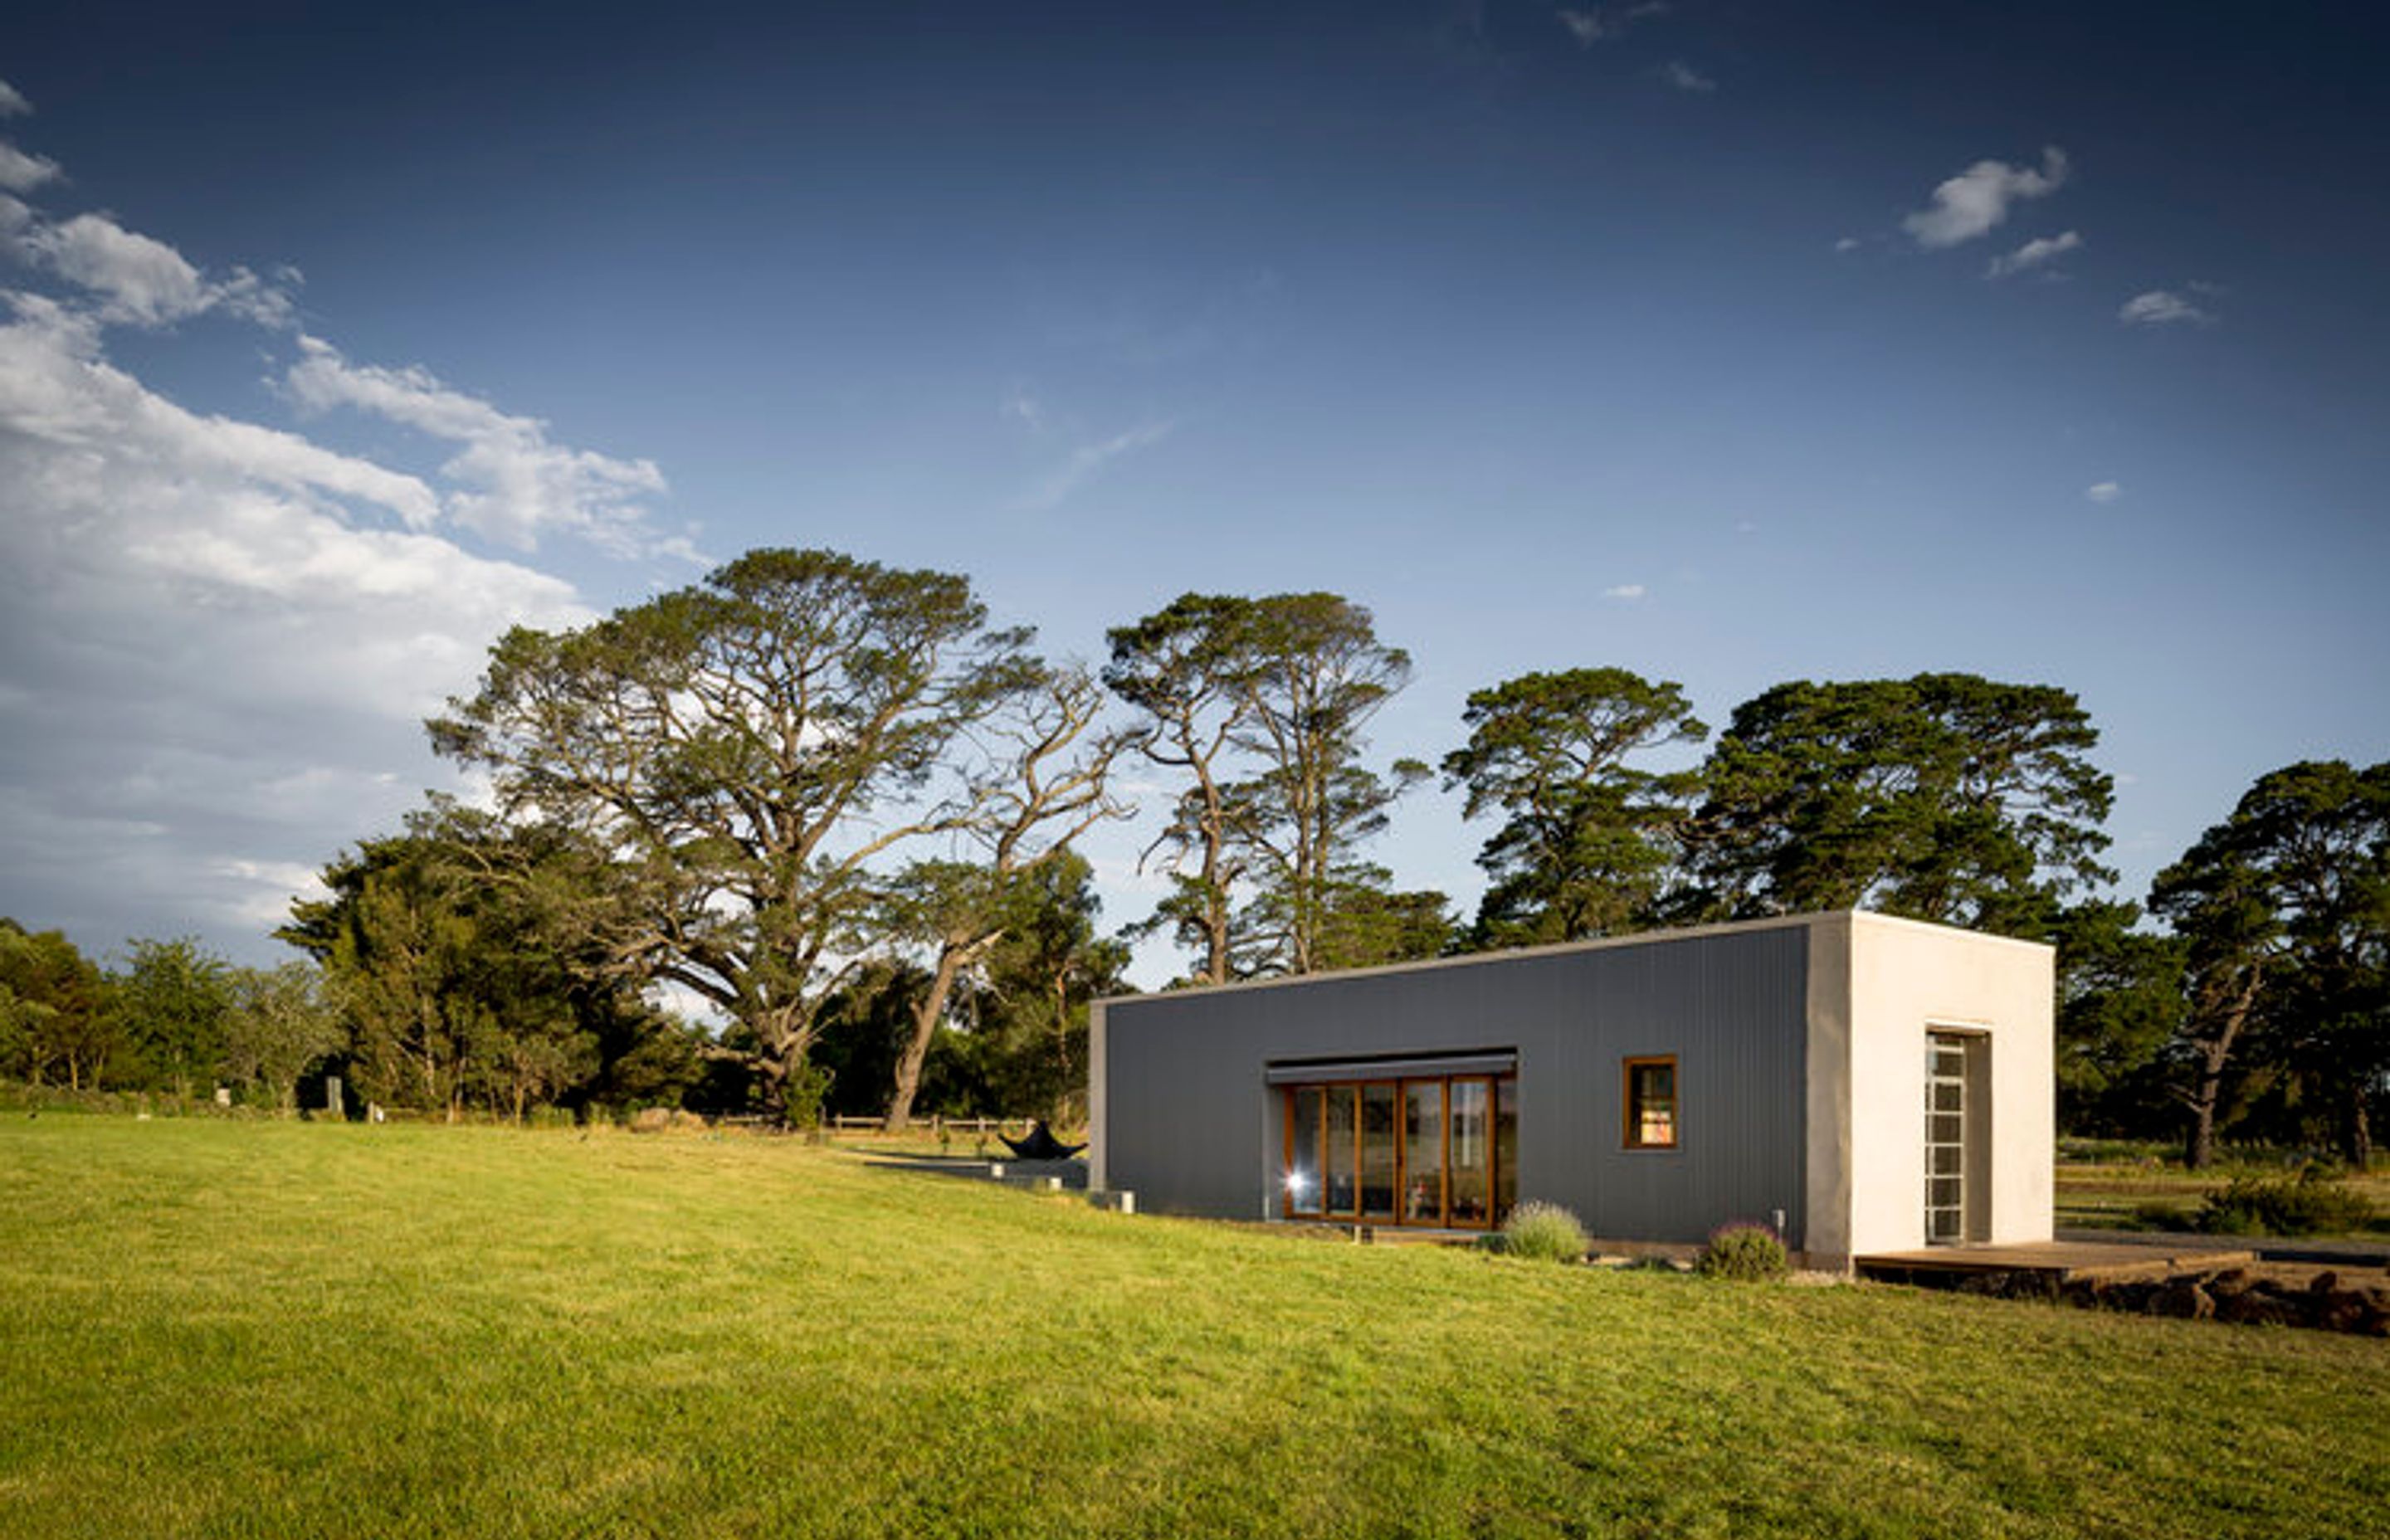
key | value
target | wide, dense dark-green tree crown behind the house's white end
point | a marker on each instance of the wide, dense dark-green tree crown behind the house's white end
(1944, 797)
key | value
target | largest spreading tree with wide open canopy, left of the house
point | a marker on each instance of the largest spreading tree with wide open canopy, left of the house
(744, 750)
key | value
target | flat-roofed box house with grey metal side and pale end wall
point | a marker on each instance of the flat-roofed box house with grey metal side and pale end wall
(1858, 1082)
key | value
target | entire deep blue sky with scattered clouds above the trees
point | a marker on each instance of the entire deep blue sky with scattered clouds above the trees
(1727, 343)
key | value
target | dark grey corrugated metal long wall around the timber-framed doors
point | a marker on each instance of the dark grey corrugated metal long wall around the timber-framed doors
(1194, 1130)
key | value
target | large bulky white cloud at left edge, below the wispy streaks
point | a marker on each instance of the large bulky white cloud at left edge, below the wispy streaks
(216, 647)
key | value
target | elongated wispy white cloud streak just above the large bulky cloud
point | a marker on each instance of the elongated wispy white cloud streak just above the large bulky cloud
(517, 484)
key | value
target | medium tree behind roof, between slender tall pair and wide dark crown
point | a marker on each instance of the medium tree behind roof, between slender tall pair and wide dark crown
(1586, 843)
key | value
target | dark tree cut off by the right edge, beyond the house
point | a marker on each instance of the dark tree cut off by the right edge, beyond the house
(2286, 915)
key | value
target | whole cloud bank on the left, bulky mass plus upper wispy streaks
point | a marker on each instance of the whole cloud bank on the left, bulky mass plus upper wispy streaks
(219, 637)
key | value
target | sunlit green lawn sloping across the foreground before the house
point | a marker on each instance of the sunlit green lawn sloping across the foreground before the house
(290, 1331)
